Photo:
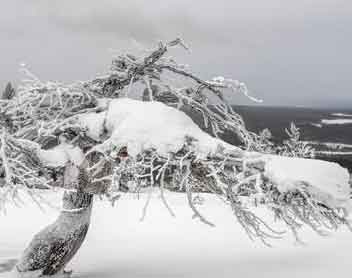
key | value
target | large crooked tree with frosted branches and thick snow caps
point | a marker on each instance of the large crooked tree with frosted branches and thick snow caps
(129, 130)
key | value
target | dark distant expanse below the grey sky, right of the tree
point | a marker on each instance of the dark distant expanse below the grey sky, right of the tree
(308, 120)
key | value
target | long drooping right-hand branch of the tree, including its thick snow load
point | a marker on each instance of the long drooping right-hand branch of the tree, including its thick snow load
(179, 156)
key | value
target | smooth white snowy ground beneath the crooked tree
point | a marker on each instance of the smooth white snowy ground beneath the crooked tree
(119, 245)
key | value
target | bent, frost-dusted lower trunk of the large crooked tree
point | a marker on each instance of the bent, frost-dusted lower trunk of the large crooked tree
(53, 247)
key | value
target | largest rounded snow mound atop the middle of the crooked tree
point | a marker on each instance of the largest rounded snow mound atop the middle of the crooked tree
(142, 125)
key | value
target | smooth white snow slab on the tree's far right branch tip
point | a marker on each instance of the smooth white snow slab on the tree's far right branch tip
(328, 181)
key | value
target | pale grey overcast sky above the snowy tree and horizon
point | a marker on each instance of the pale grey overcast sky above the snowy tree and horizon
(288, 52)
